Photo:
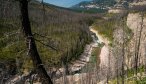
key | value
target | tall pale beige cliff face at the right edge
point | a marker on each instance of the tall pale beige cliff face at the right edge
(137, 24)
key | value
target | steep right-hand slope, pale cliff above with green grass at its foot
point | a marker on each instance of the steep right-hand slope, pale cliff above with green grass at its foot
(134, 49)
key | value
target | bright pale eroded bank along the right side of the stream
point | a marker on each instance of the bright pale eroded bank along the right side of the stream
(107, 60)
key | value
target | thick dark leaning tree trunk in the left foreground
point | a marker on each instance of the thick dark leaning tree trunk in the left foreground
(37, 62)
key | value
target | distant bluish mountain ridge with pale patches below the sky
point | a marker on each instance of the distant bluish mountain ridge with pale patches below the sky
(94, 6)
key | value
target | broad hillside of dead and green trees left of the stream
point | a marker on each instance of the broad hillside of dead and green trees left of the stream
(60, 35)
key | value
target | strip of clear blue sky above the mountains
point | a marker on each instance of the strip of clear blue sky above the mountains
(64, 3)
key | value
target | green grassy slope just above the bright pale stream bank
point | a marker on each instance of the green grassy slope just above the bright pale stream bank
(106, 28)
